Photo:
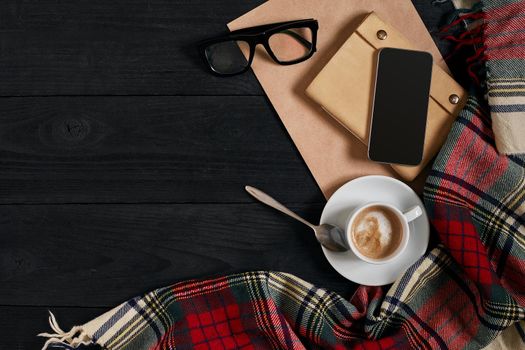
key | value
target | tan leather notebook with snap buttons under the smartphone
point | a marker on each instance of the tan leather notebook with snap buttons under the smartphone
(345, 88)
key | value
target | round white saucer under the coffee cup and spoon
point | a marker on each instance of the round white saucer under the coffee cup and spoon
(373, 189)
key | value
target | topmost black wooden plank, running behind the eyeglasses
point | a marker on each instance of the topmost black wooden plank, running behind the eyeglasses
(123, 47)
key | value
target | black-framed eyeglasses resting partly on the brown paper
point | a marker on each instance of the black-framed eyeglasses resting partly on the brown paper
(286, 42)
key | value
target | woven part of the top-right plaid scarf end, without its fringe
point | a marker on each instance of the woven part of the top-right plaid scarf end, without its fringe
(504, 52)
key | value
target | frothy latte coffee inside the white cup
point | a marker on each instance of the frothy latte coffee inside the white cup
(376, 232)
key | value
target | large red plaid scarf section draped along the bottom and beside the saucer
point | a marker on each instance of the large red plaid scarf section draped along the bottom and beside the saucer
(461, 294)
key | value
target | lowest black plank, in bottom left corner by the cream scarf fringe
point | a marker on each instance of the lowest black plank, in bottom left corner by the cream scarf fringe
(20, 325)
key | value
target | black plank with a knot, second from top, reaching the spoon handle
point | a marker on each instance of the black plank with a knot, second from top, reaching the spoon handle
(146, 149)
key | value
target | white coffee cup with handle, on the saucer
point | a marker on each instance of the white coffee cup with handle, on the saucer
(404, 218)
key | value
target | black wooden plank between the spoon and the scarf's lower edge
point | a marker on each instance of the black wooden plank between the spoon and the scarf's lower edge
(100, 255)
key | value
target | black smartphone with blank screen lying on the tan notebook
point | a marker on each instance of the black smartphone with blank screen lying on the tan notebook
(400, 106)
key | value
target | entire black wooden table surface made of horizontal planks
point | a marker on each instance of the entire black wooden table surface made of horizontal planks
(123, 161)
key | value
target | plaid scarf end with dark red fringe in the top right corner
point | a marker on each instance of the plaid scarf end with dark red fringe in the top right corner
(496, 28)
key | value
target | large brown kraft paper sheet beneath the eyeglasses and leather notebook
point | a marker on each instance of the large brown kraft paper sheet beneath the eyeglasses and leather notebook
(332, 154)
